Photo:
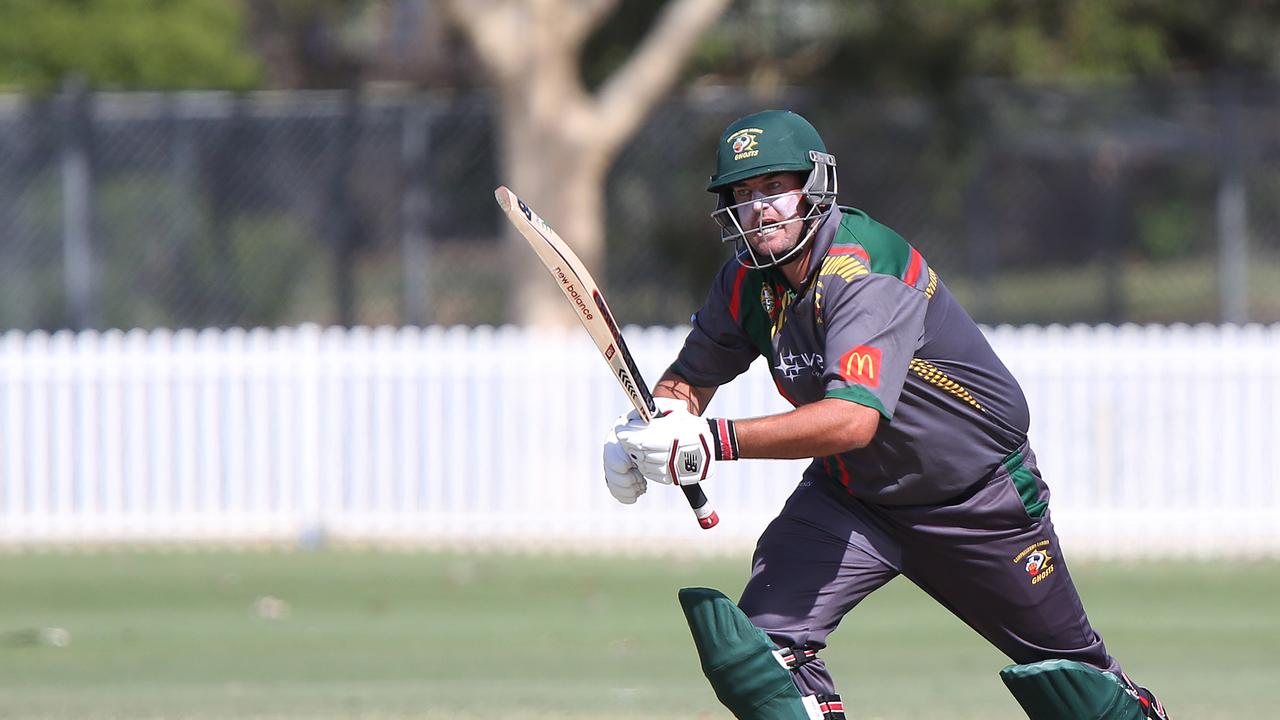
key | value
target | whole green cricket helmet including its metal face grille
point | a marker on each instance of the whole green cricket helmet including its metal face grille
(772, 142)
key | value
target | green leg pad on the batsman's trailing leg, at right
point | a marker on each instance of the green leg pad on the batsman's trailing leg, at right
(1063, 690)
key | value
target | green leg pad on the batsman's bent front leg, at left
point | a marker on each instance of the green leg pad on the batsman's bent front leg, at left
(738, 659)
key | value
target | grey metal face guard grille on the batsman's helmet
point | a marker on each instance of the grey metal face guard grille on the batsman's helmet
(819, 194)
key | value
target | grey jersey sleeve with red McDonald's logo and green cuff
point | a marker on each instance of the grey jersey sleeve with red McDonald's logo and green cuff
(875, 325)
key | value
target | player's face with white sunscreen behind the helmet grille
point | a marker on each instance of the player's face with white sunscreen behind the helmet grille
(766, 203)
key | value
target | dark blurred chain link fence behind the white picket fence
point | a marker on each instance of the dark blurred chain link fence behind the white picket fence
(1137, 204)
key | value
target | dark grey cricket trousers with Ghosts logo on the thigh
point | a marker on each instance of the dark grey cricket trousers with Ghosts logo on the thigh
(986, 557)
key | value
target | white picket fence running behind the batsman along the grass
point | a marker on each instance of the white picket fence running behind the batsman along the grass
(1158, 441)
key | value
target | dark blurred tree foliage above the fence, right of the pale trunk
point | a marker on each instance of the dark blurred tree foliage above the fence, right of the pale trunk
(929, 47)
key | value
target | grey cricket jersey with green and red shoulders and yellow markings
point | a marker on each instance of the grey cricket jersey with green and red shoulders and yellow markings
(872, 325)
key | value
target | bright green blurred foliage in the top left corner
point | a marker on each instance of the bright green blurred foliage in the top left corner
(126, 44)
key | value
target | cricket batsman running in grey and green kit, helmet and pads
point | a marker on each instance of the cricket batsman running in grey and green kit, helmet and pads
(918, 438)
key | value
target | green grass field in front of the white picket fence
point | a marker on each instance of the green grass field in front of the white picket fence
(427, 636)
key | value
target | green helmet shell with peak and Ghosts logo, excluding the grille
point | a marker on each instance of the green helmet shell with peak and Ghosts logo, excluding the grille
(772, 142)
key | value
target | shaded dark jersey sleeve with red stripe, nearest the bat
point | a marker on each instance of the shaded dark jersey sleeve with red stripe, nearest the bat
(719, 349)
